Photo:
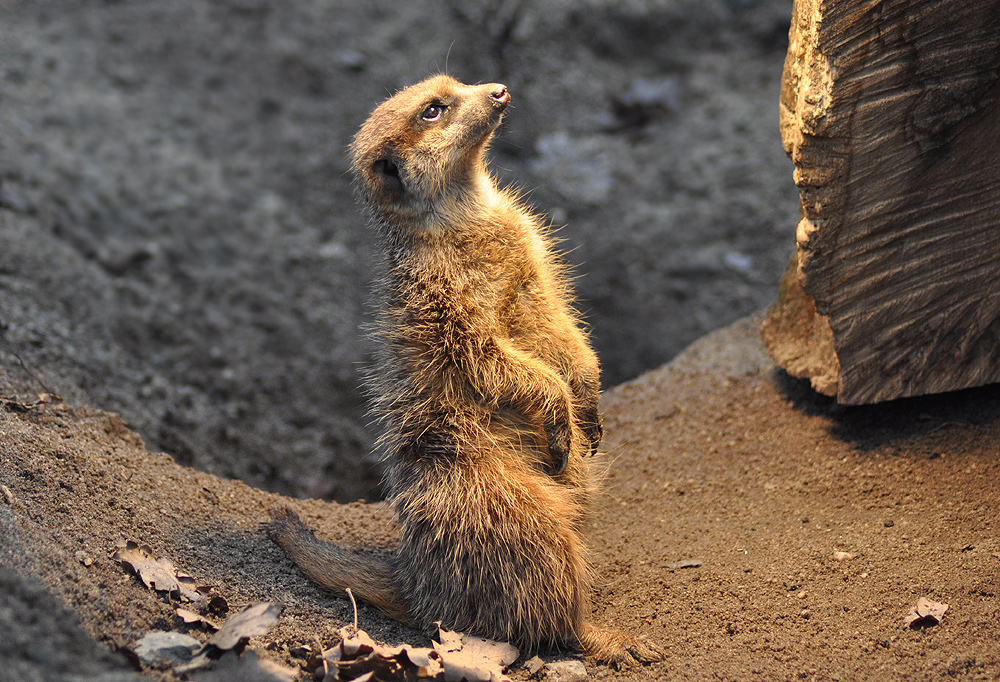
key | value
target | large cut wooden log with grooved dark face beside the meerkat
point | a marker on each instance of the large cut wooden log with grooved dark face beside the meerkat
(890, 111)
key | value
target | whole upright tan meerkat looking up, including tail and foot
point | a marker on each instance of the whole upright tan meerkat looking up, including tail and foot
(485, 387)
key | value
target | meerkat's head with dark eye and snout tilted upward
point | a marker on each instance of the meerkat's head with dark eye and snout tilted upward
(425, 144)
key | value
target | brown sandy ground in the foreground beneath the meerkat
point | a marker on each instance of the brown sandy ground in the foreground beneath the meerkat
(717, 457)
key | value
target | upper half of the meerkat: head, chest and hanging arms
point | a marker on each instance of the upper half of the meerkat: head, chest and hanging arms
(477, 340)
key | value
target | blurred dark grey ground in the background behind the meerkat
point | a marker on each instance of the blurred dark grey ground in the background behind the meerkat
(178, 240)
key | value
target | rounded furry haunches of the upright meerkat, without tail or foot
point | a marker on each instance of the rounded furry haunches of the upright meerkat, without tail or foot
(496, 552)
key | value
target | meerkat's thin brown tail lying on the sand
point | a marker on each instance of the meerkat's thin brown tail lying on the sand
(335, 568)
